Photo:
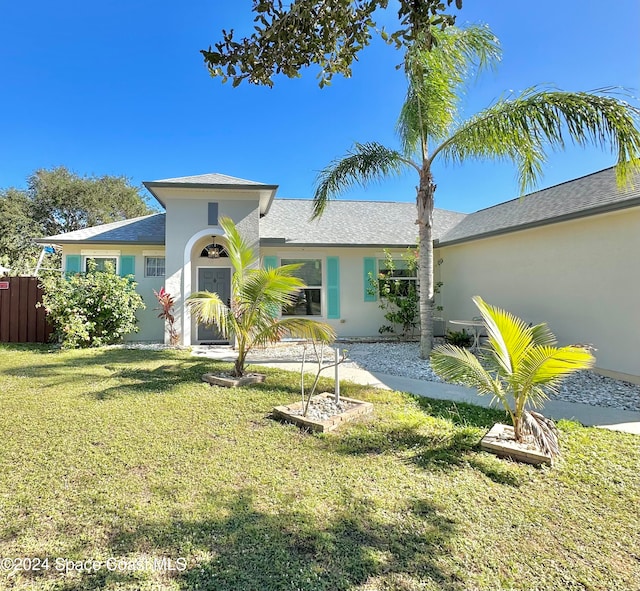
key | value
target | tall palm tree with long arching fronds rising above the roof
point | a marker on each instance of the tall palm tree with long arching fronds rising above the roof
(513, 128)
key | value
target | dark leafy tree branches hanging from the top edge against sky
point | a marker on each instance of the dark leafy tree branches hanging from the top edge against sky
(328, 33)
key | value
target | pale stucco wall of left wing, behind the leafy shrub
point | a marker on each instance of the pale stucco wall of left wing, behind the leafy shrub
(151, 327)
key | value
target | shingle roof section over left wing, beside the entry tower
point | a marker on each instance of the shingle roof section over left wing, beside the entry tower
(149, 229)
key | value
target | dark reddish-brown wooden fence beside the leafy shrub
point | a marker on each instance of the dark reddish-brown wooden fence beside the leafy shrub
(20, 320)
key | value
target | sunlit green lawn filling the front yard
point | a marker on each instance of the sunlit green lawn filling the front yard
(126, 455)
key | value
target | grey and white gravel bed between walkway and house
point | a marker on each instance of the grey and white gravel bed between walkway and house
(401, 359)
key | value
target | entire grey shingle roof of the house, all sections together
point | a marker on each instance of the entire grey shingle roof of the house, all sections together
(386, 224)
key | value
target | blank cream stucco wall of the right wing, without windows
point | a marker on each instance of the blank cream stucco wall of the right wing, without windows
(582, 277)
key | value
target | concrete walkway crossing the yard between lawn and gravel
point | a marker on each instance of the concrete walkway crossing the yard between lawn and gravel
(587, 414)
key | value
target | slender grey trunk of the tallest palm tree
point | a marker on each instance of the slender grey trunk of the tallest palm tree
(425, 202)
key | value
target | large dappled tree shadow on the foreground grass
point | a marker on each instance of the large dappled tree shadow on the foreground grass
(250, 549)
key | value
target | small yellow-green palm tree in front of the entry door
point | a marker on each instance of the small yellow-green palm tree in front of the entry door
(257, 295)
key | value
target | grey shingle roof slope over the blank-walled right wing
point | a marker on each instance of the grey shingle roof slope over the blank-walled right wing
(588, 195)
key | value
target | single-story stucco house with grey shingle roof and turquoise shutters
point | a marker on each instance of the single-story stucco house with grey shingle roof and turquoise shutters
(566, 255)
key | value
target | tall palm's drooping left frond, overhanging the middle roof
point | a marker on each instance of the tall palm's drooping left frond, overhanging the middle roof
(363, 164)
